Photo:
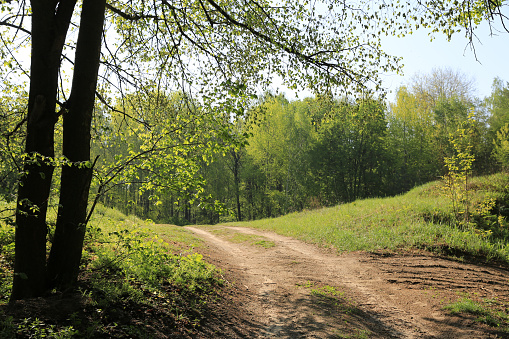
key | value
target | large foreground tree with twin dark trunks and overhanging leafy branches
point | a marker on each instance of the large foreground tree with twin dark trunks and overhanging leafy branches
(200, 48)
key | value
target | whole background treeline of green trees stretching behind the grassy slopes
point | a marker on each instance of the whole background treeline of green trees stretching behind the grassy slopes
(161, 158)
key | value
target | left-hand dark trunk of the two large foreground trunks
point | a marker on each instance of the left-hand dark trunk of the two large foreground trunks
(50, 22)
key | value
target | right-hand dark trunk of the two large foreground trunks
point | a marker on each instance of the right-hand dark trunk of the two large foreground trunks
(65, 256)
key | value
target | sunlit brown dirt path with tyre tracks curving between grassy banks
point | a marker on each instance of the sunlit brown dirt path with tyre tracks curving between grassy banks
(296, 290)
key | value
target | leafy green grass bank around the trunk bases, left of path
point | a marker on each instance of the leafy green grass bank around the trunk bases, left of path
(135, 282)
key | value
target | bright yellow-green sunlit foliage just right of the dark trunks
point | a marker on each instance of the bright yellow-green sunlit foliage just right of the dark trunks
(154, 162)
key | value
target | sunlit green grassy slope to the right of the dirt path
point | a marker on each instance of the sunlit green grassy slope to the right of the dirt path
(421, 218)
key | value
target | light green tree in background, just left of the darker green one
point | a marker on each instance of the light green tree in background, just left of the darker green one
(279, 148)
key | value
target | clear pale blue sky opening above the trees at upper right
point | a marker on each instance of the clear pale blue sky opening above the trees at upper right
(421, 56)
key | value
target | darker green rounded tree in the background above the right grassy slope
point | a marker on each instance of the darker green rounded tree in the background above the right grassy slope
(347, 160)
